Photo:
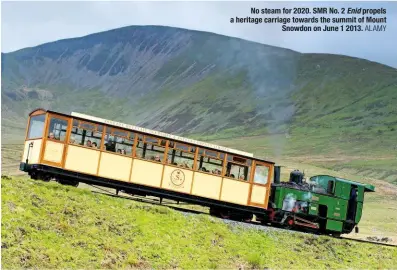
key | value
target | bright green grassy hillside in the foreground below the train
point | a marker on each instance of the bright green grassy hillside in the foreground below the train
(46, 225)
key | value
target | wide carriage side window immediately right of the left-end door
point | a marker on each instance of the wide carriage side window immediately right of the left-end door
(86, 134)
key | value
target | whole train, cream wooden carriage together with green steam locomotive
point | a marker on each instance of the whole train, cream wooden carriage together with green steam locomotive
(234, 184)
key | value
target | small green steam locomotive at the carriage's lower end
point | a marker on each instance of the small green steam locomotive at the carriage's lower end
(324, 204)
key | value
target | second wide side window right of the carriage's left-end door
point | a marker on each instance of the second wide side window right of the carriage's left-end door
(119, 141)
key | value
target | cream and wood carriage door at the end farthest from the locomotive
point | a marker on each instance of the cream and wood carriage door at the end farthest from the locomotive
(55, 141)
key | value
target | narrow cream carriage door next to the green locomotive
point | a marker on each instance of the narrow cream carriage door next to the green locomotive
(260, 184)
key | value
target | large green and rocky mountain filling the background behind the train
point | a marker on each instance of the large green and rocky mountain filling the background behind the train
(212, 87)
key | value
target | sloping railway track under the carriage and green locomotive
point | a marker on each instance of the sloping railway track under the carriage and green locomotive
(168, 203)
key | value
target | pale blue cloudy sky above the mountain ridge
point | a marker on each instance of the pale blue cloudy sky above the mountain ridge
(27, 24)
